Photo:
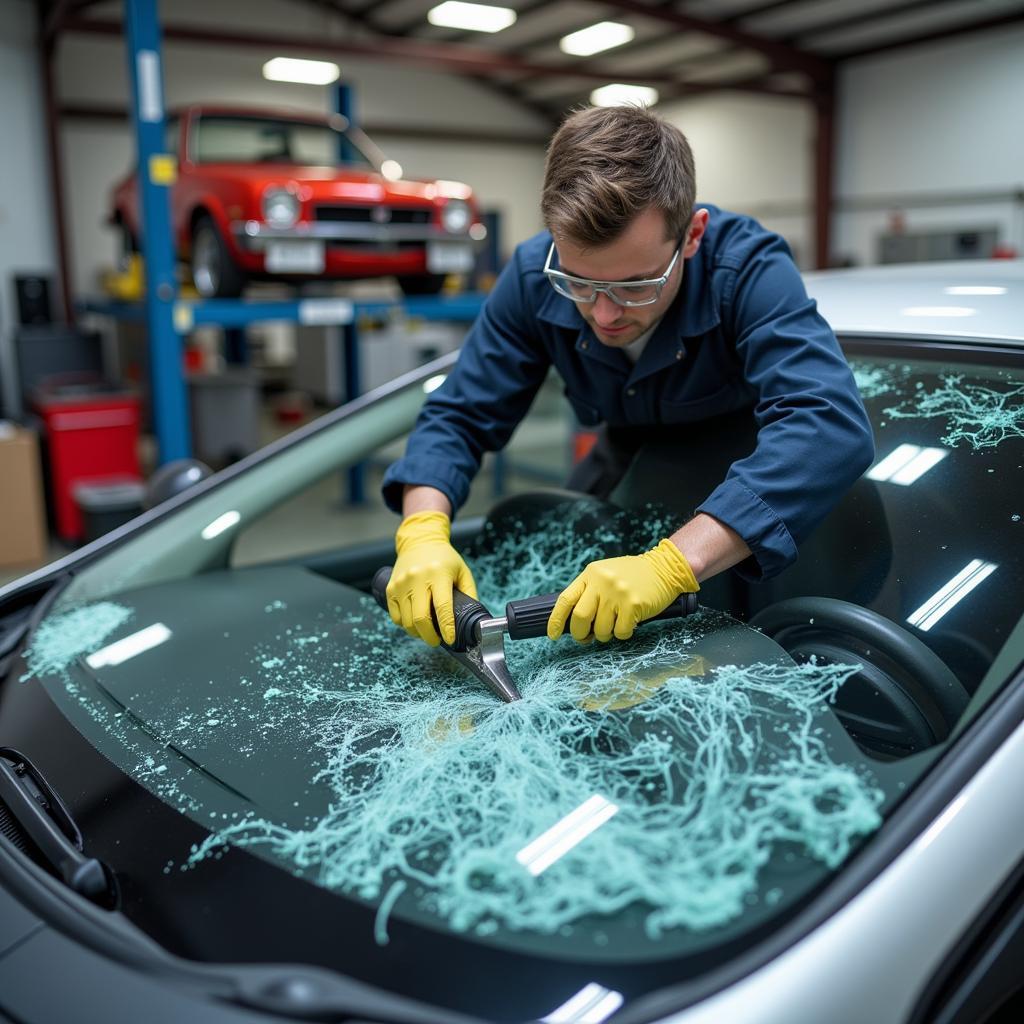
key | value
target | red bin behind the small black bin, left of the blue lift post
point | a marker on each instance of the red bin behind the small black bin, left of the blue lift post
(92, 436)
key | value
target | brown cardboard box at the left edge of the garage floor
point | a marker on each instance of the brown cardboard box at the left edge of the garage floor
(23, 519)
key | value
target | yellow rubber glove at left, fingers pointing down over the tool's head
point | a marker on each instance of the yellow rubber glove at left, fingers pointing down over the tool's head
(425, 571)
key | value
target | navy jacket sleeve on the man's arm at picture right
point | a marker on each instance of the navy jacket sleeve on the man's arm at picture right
(815, 439)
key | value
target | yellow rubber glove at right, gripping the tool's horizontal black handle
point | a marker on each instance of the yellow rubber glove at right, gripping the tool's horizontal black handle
(613, 595)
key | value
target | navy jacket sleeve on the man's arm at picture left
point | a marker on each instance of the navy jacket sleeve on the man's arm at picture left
(499, 371)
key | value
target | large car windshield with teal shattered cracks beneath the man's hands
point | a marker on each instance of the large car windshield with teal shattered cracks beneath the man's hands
(646, 805)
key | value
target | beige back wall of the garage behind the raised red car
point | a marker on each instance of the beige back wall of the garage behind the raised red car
(92, 70)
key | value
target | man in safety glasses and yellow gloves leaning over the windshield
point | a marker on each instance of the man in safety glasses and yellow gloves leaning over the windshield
(659, 316)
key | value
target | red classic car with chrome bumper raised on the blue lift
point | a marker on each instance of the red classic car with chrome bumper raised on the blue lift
(268, 194)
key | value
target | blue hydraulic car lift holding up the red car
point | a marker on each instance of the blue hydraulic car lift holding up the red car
(169, 318)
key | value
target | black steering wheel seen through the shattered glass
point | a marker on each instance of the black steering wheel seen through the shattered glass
(903, 700)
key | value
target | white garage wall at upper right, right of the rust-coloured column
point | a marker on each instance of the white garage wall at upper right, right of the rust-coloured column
(937, 129)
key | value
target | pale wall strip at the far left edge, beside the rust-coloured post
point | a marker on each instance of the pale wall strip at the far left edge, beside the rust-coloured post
(26, 224)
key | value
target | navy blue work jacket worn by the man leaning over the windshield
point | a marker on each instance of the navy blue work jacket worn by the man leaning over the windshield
(741, 333)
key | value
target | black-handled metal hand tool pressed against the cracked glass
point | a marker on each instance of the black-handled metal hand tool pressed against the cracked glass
(480, 637)
